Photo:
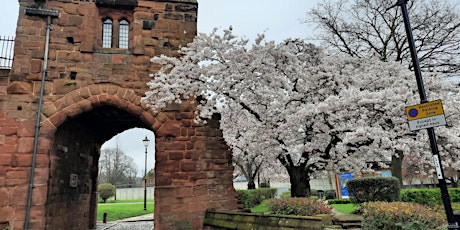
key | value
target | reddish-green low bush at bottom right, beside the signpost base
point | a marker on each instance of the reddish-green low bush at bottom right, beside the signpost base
(401, 215)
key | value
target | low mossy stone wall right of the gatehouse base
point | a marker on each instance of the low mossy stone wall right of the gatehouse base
(220, 220)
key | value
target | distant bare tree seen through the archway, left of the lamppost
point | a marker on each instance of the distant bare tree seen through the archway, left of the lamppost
(115, 167)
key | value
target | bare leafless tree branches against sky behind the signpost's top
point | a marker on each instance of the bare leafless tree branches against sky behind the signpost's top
(368, 28)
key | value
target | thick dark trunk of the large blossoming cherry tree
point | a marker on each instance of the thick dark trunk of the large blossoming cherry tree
(300, 181)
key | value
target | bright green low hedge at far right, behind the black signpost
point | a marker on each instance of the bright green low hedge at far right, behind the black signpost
(428, 196)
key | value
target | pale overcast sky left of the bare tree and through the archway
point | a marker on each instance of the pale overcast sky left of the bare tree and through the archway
(277, 19)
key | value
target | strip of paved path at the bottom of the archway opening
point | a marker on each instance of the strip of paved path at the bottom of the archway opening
(144, 222)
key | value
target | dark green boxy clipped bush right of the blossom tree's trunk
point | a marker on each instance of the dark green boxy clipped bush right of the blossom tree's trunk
(368, 189)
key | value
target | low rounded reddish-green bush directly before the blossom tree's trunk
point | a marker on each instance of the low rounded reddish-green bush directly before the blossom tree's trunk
(298, 206)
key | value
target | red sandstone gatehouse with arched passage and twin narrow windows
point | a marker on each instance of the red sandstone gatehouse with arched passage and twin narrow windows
(96, 56)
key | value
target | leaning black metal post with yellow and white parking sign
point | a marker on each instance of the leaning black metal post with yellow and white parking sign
(428, 114)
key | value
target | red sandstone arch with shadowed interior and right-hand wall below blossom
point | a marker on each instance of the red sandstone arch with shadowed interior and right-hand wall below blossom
(193, 165)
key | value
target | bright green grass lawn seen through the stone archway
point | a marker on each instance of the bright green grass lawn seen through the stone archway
(121, 210)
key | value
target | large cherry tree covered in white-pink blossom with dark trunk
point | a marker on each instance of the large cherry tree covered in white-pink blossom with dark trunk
(312, 112)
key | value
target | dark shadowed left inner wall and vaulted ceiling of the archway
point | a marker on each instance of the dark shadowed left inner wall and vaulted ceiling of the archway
(74, 161)
